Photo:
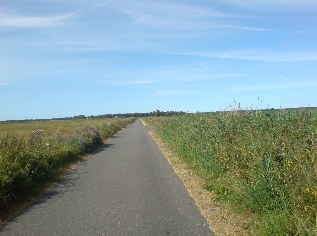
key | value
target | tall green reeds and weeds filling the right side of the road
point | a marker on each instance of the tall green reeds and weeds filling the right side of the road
(262, 163)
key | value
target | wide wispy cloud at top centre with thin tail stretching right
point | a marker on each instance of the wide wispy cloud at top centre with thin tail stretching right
(178, 16)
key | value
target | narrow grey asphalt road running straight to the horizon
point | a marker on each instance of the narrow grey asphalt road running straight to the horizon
(128, 188)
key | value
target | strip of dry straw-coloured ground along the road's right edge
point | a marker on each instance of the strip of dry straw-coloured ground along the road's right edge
(221, 219)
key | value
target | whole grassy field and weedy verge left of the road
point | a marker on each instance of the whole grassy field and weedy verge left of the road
(35, 152)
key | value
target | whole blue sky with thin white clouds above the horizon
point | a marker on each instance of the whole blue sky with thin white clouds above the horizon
(69, 57)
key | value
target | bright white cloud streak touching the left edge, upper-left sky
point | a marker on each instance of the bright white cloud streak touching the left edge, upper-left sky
(19, 21)
